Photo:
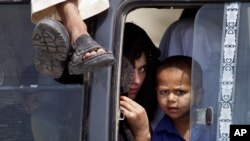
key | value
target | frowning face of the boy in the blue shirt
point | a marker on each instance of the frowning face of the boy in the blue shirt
(174, 93)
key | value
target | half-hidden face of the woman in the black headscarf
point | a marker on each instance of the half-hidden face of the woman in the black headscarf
(139, 76)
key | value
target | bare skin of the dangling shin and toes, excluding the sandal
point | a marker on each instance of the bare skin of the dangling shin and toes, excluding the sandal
(74, 24)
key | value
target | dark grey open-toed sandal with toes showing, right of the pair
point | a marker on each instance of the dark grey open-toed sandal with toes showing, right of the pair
(88, 56)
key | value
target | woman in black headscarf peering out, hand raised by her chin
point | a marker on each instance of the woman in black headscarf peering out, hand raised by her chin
(139, 102)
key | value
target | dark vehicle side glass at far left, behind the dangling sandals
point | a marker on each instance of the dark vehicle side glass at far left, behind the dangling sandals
(32, 106)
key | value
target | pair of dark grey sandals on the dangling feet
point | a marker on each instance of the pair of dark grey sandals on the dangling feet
(52, 49)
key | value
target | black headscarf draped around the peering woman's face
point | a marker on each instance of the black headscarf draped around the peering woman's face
(136, 41)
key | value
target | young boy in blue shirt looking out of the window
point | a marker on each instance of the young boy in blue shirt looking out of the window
(173, 85)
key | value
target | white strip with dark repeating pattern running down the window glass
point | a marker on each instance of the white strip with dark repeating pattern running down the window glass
(230, 45)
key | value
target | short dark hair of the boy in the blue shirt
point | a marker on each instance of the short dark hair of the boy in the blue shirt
(183, 63)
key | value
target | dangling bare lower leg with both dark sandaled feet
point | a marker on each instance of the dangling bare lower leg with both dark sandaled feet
(51, 58)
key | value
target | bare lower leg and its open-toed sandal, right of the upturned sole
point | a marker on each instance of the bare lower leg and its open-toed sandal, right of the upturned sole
(87, 55)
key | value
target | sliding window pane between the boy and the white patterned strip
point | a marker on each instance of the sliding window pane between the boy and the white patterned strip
(207, 52)
